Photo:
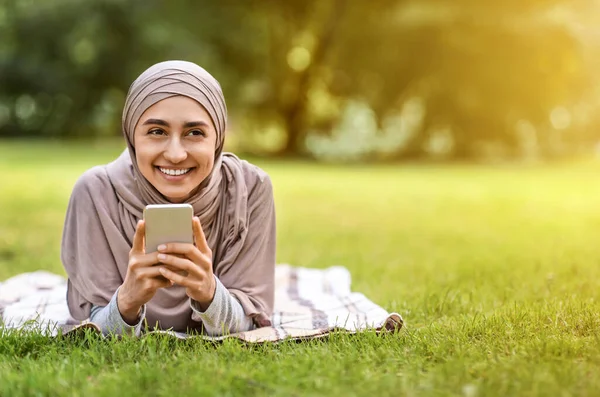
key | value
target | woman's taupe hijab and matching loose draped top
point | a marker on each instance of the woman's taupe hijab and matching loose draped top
(234, 204)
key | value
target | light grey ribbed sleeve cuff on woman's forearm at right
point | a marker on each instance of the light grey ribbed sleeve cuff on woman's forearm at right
(224, 315)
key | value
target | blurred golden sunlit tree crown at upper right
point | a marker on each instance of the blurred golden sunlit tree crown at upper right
(480, 67)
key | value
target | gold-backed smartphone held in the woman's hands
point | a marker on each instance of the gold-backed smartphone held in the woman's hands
(168, 223)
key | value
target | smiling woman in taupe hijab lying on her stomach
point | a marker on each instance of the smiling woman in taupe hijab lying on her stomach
(174, 122)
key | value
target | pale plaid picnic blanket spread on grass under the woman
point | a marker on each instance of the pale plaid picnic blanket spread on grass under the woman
(309, 303)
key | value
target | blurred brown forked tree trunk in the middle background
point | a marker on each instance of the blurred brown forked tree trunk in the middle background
(300, 36)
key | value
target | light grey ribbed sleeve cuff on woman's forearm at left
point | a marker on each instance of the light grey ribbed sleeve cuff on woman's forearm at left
(108, 319)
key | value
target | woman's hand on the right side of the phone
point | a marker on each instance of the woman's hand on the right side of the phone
(192, 265)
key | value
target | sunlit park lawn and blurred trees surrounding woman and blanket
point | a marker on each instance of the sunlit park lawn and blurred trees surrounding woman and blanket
(445, 151)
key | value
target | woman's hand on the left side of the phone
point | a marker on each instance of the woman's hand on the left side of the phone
(142, 280)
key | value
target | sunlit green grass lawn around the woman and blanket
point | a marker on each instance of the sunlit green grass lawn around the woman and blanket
(494, 268)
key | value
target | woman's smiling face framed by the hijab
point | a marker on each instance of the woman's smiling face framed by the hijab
(175, 142)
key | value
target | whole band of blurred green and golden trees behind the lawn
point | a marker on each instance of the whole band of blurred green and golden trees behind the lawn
(332, 80)
